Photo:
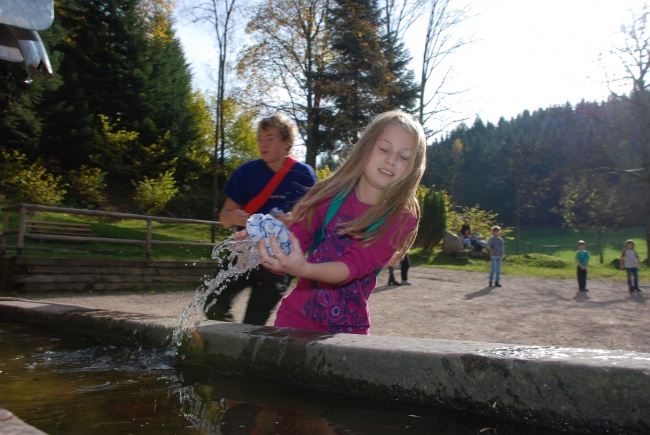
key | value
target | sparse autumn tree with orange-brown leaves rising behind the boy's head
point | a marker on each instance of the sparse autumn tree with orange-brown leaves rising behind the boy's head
(286, 63)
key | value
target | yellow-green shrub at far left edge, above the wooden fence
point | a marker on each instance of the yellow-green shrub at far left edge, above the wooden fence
(23, 182)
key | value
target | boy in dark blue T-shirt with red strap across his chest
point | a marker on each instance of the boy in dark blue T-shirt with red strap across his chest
(272, 184)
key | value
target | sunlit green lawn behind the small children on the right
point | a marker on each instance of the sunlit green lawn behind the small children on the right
(557, 262)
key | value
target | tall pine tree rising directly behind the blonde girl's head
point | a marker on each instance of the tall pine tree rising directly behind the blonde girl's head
(369, 74)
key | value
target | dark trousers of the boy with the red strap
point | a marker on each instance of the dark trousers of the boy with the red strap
(267, 289)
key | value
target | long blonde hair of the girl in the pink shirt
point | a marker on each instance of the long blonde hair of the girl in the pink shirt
(398, 197)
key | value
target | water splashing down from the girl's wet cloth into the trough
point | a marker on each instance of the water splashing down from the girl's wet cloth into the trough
(247, 258)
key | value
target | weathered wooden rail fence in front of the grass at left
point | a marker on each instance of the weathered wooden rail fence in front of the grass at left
(24, 209)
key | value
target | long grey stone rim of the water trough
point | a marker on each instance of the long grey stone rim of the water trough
(577, 390)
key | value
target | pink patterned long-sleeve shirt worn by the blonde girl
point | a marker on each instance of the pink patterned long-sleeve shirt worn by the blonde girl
(340, 307)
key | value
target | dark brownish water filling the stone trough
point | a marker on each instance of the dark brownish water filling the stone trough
(73, 384)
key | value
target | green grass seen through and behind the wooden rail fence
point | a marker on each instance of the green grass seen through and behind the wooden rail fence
(119, 229)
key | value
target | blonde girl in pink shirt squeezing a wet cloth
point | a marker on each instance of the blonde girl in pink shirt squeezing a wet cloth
(372, 222)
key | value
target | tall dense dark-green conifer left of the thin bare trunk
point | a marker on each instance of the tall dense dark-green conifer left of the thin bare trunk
(121, 61)
